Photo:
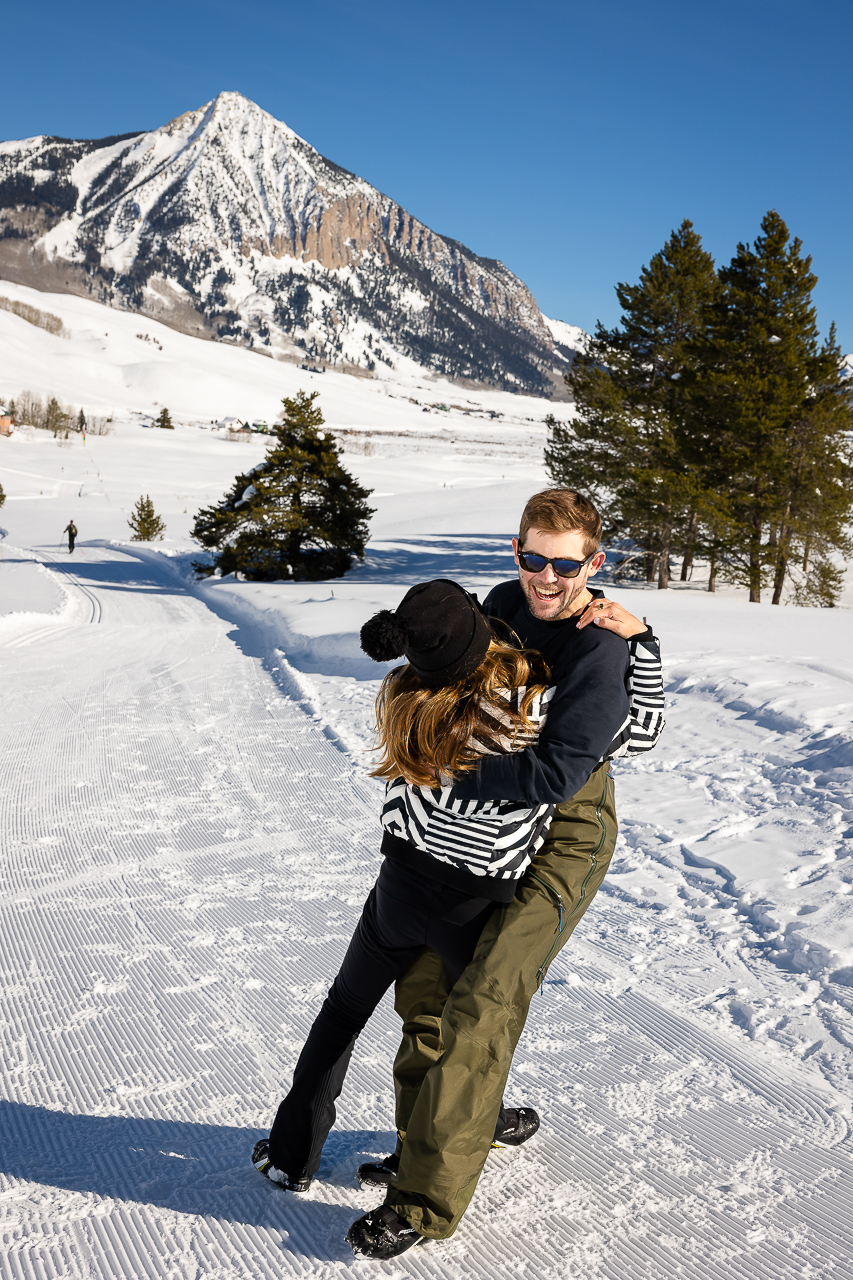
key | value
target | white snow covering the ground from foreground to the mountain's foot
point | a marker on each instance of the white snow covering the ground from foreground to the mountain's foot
(190, 831)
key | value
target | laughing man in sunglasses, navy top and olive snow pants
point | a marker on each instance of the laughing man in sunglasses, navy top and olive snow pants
(458, 1048)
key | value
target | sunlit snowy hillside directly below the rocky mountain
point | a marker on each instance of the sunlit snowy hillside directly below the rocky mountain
(113, 362)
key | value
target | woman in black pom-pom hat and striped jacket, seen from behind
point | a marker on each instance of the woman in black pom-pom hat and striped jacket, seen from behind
(464, 693)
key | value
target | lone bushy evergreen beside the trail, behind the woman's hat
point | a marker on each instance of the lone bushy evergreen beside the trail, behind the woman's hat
(298, 515)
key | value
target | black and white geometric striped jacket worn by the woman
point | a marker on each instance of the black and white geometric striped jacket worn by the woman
(500, 838)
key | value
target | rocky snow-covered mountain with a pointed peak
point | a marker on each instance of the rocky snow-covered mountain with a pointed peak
(226, 223)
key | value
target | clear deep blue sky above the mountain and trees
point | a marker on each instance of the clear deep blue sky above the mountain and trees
(565, 139)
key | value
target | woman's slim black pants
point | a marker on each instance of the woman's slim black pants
(404, 915)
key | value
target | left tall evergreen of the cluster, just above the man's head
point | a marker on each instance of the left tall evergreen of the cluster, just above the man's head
(626, 444)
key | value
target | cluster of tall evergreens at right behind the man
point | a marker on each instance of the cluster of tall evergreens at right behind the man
(713, 423)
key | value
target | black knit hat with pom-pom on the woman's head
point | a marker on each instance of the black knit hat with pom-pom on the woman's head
(437, 628)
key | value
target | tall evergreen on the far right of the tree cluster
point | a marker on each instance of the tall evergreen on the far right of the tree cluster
(769, 414)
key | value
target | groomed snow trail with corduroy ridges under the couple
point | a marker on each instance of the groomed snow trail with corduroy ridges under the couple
(186, 853)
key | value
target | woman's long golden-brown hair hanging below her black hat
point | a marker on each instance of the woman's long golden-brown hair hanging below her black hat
(426, 734)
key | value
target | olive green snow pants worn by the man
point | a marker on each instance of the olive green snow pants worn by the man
(458, 1046)
